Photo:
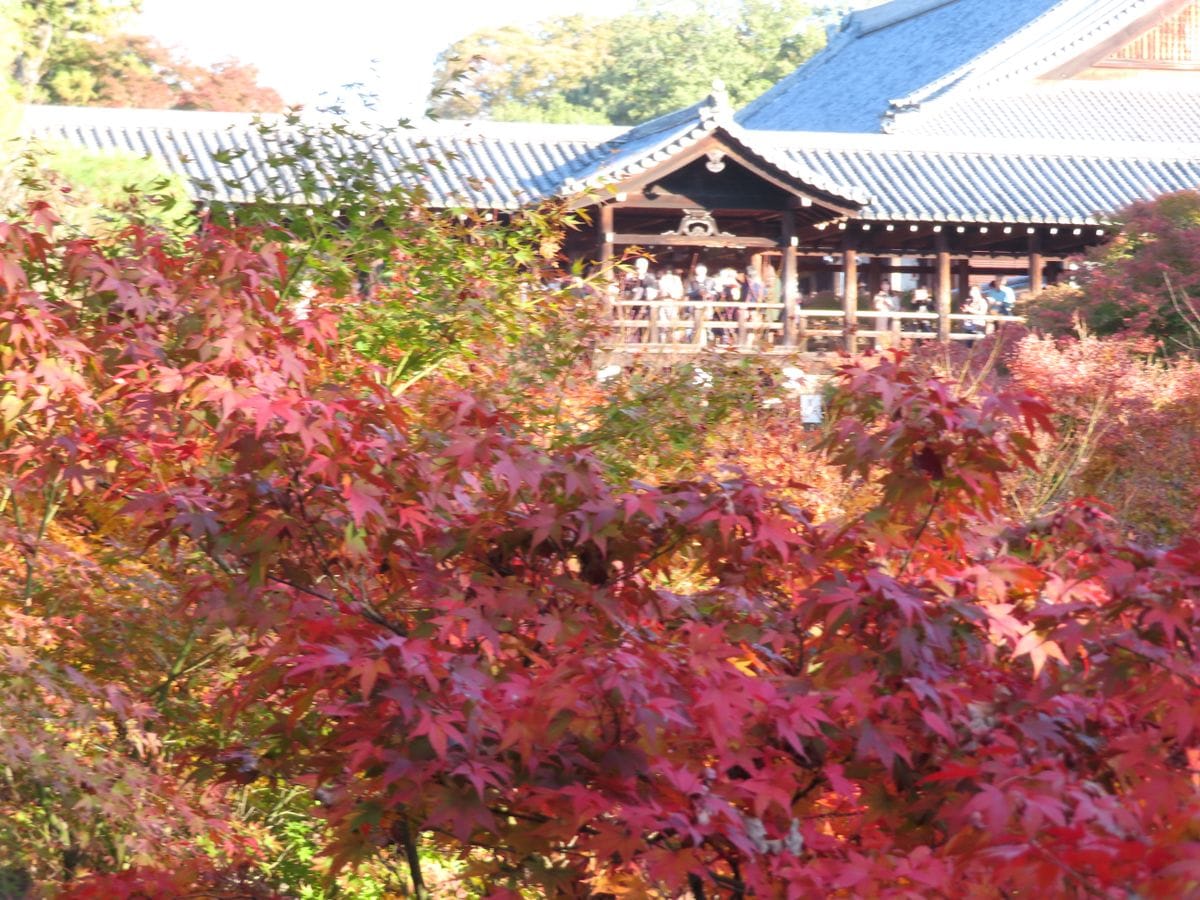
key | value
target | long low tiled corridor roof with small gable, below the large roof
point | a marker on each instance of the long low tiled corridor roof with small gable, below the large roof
(490, 166)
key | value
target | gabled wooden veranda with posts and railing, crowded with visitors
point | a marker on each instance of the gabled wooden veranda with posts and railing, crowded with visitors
(817, 248)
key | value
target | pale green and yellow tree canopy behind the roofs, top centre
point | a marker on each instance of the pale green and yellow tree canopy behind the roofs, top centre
(627, 69)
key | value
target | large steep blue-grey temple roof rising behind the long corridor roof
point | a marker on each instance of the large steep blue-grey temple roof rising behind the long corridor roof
(898, 67)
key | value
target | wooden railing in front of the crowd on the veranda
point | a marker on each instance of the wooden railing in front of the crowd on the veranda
(668, 325)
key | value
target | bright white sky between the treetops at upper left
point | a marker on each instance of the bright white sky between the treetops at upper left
(305, 47)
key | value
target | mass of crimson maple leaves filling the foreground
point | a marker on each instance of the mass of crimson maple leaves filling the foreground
(596, 688)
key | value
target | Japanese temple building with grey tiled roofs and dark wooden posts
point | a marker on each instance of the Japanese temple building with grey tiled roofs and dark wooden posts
(946, 141)
